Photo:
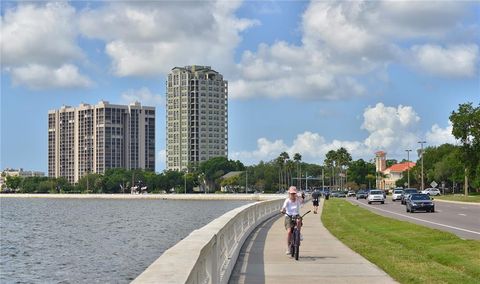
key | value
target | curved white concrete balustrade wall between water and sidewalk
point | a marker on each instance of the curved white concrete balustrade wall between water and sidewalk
(209, 254)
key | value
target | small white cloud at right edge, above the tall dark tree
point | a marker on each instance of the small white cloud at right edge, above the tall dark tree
(453, 61)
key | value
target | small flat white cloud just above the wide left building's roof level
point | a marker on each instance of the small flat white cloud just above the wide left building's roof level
(42, 77)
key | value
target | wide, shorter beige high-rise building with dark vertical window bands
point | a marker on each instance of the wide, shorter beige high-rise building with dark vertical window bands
(94, 138)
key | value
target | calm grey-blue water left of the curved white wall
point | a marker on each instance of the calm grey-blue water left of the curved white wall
(93, 240)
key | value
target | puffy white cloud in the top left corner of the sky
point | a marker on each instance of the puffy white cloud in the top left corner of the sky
(39, 34)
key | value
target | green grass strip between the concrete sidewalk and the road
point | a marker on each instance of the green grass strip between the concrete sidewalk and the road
(409, 253)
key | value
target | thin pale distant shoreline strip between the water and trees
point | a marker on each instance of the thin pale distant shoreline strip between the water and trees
(254, 197)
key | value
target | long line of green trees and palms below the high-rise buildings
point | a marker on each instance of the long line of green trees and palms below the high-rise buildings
(456, 167)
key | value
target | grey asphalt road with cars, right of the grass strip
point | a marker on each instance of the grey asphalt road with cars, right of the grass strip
(461, 219)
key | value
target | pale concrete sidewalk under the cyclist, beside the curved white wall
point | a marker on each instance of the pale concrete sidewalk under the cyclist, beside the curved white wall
(323, 258)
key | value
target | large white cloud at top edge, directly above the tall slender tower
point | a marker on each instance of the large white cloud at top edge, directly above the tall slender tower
(150, 38)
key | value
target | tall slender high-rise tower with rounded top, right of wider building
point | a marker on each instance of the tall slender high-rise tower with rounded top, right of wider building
(197, 116)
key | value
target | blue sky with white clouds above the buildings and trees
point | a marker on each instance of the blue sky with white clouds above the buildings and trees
(304, 77)
